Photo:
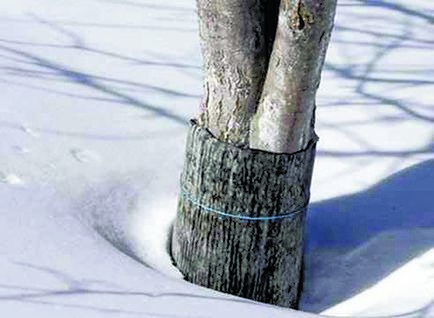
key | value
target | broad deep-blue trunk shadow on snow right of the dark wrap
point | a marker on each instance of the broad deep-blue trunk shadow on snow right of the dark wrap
(357, 240)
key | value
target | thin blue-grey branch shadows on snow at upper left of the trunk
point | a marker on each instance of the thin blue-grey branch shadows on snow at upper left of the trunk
(23, 62)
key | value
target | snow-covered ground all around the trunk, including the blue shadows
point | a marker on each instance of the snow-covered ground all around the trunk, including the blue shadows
(95, 96)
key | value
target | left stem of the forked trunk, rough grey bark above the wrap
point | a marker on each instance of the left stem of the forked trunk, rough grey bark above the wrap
(236, 39)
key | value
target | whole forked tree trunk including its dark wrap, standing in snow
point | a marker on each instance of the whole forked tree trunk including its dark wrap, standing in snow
(249, 159)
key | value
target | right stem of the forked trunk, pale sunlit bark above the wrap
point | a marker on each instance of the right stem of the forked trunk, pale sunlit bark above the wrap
(283, 122)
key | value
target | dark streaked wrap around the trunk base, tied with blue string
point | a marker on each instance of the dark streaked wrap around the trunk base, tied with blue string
(239, 226)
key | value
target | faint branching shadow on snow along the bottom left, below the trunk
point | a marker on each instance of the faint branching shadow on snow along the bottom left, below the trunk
(85, 289)
